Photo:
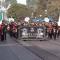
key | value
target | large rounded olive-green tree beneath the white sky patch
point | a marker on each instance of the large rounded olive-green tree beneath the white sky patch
(18, 10)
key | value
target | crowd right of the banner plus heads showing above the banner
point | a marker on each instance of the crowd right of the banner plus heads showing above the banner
(52, 30)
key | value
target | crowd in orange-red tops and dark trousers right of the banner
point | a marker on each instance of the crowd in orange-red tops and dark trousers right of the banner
(53, 31)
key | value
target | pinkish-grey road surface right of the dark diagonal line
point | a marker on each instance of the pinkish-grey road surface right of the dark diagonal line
(48, 50)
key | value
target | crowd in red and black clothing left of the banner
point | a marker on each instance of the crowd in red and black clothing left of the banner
(11, 29)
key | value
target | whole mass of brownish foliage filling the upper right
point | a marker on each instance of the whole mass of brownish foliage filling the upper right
(52, 6)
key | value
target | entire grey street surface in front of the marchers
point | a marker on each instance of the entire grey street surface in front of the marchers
(14, 49)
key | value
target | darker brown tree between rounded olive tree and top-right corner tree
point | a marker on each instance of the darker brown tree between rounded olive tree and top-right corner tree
(41, 7)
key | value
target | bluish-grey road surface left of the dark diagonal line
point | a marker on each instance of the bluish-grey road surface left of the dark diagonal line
(11, 50)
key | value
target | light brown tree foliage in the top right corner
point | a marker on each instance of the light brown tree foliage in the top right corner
(54, 9)
